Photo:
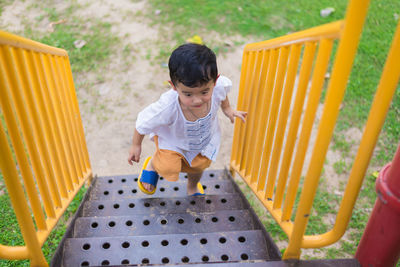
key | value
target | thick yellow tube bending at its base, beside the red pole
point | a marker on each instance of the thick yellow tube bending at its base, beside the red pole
(380, 106)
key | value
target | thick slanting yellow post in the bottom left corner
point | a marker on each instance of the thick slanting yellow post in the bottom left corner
(21, 208)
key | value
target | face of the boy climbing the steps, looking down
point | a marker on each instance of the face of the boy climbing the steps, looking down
(194, 97)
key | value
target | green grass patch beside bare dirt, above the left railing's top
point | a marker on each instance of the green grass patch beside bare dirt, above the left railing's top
(100, 41)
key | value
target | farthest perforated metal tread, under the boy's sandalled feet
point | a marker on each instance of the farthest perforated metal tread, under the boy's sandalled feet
(110, 191)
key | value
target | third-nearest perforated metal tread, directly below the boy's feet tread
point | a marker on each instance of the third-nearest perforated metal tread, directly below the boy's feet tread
(122, 207)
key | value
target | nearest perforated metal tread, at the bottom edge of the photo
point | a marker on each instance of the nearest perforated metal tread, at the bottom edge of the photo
(166, 249)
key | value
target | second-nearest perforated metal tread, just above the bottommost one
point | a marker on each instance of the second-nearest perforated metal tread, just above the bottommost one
(153, 224)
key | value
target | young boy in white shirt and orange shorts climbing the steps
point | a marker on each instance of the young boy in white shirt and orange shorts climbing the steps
(183, 123)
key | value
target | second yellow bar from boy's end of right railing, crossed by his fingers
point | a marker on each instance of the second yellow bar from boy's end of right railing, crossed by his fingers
(246, 100)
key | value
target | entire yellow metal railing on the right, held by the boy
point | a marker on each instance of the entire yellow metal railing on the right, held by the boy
(269, 150)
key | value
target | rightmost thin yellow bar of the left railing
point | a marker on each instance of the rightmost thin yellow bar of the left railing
(77, 114)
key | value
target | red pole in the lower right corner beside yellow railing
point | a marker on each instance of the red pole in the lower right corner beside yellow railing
(380, 243)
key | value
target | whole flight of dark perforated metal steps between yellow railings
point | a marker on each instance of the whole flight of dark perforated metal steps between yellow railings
(119, 225)
